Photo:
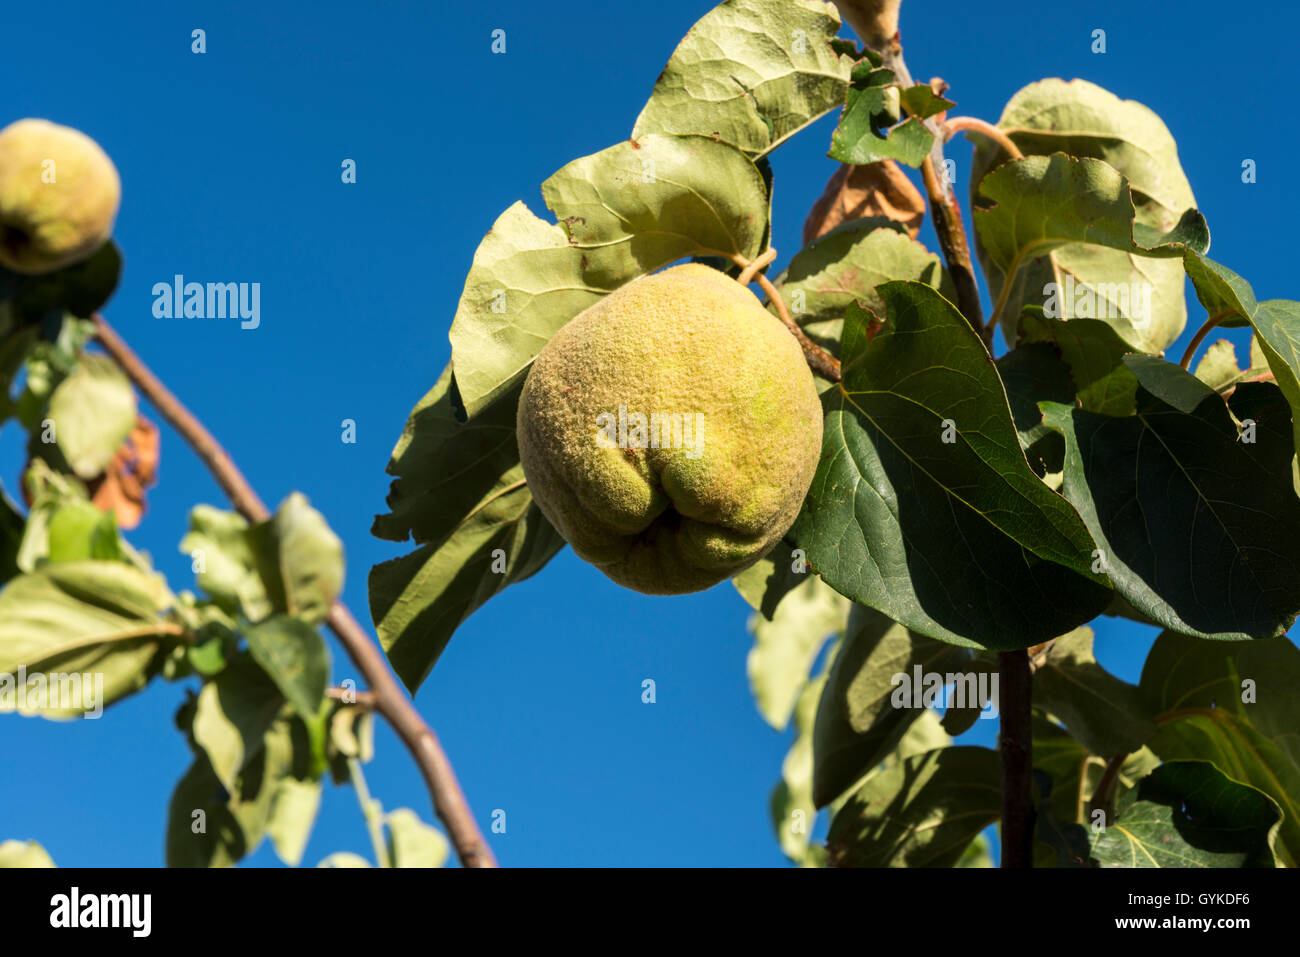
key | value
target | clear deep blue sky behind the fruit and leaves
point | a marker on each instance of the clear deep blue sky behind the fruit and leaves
(231, 171)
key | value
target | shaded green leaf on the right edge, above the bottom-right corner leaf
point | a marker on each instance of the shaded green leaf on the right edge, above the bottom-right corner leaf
(1234, 705)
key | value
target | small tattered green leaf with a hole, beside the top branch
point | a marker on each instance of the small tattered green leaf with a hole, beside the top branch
(869, 128)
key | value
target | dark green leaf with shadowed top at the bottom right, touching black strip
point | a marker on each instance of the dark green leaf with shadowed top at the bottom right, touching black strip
(1190, 815)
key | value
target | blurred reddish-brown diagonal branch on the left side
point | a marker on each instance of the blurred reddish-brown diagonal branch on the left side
(449, 802)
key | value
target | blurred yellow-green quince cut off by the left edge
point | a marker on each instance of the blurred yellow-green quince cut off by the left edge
(59, 196)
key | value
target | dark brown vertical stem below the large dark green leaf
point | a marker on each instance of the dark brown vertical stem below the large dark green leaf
(1016, 743)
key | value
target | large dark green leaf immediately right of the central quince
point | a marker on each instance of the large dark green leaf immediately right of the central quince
(954, 538)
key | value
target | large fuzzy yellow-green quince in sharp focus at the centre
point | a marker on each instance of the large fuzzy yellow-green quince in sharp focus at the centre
(730, 402)
